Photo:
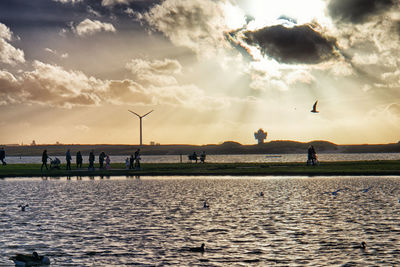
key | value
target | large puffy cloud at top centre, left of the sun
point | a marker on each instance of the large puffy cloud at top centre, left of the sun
(200, 25)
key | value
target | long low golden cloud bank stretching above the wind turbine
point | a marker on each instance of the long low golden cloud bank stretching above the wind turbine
(53, 85)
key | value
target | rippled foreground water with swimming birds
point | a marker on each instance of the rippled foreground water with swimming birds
(153, 221)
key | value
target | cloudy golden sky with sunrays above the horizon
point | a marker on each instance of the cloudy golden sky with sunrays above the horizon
(212, 71)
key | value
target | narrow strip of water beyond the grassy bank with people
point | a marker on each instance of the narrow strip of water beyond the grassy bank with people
(259, 158)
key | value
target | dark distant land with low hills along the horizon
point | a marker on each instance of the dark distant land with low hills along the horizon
(229, 147)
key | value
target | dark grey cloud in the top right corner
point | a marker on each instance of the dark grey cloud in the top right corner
(357, 11)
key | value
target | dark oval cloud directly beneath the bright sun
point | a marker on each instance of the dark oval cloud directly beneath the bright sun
(299, 44)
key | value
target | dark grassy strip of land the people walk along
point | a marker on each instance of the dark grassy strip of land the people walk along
(345, 168)
